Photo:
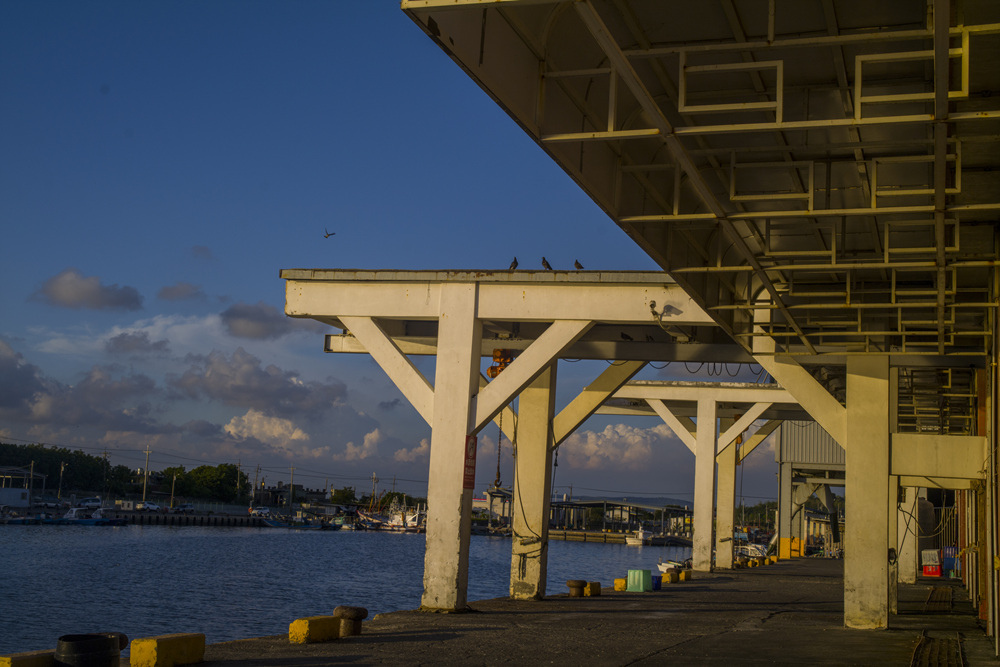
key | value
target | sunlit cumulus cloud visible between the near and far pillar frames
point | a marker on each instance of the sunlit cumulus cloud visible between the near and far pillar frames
(618, 446)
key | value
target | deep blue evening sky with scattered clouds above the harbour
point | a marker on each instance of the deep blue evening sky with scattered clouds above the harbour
(161, 162)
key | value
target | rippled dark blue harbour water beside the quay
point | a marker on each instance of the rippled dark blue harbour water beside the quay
(232, 583)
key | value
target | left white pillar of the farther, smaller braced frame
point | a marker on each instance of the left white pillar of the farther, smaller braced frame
(704, 486)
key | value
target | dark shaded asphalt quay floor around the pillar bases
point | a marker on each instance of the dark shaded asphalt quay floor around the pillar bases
(787, 613)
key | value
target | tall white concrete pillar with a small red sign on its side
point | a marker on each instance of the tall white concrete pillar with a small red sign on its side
(449, 495)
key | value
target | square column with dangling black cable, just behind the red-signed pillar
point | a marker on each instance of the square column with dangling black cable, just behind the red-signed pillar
(532, 488)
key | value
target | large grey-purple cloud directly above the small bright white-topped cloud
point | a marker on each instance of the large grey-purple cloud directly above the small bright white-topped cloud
(241, 380)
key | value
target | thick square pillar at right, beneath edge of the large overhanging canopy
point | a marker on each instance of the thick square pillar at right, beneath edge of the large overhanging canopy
(866, 490)
